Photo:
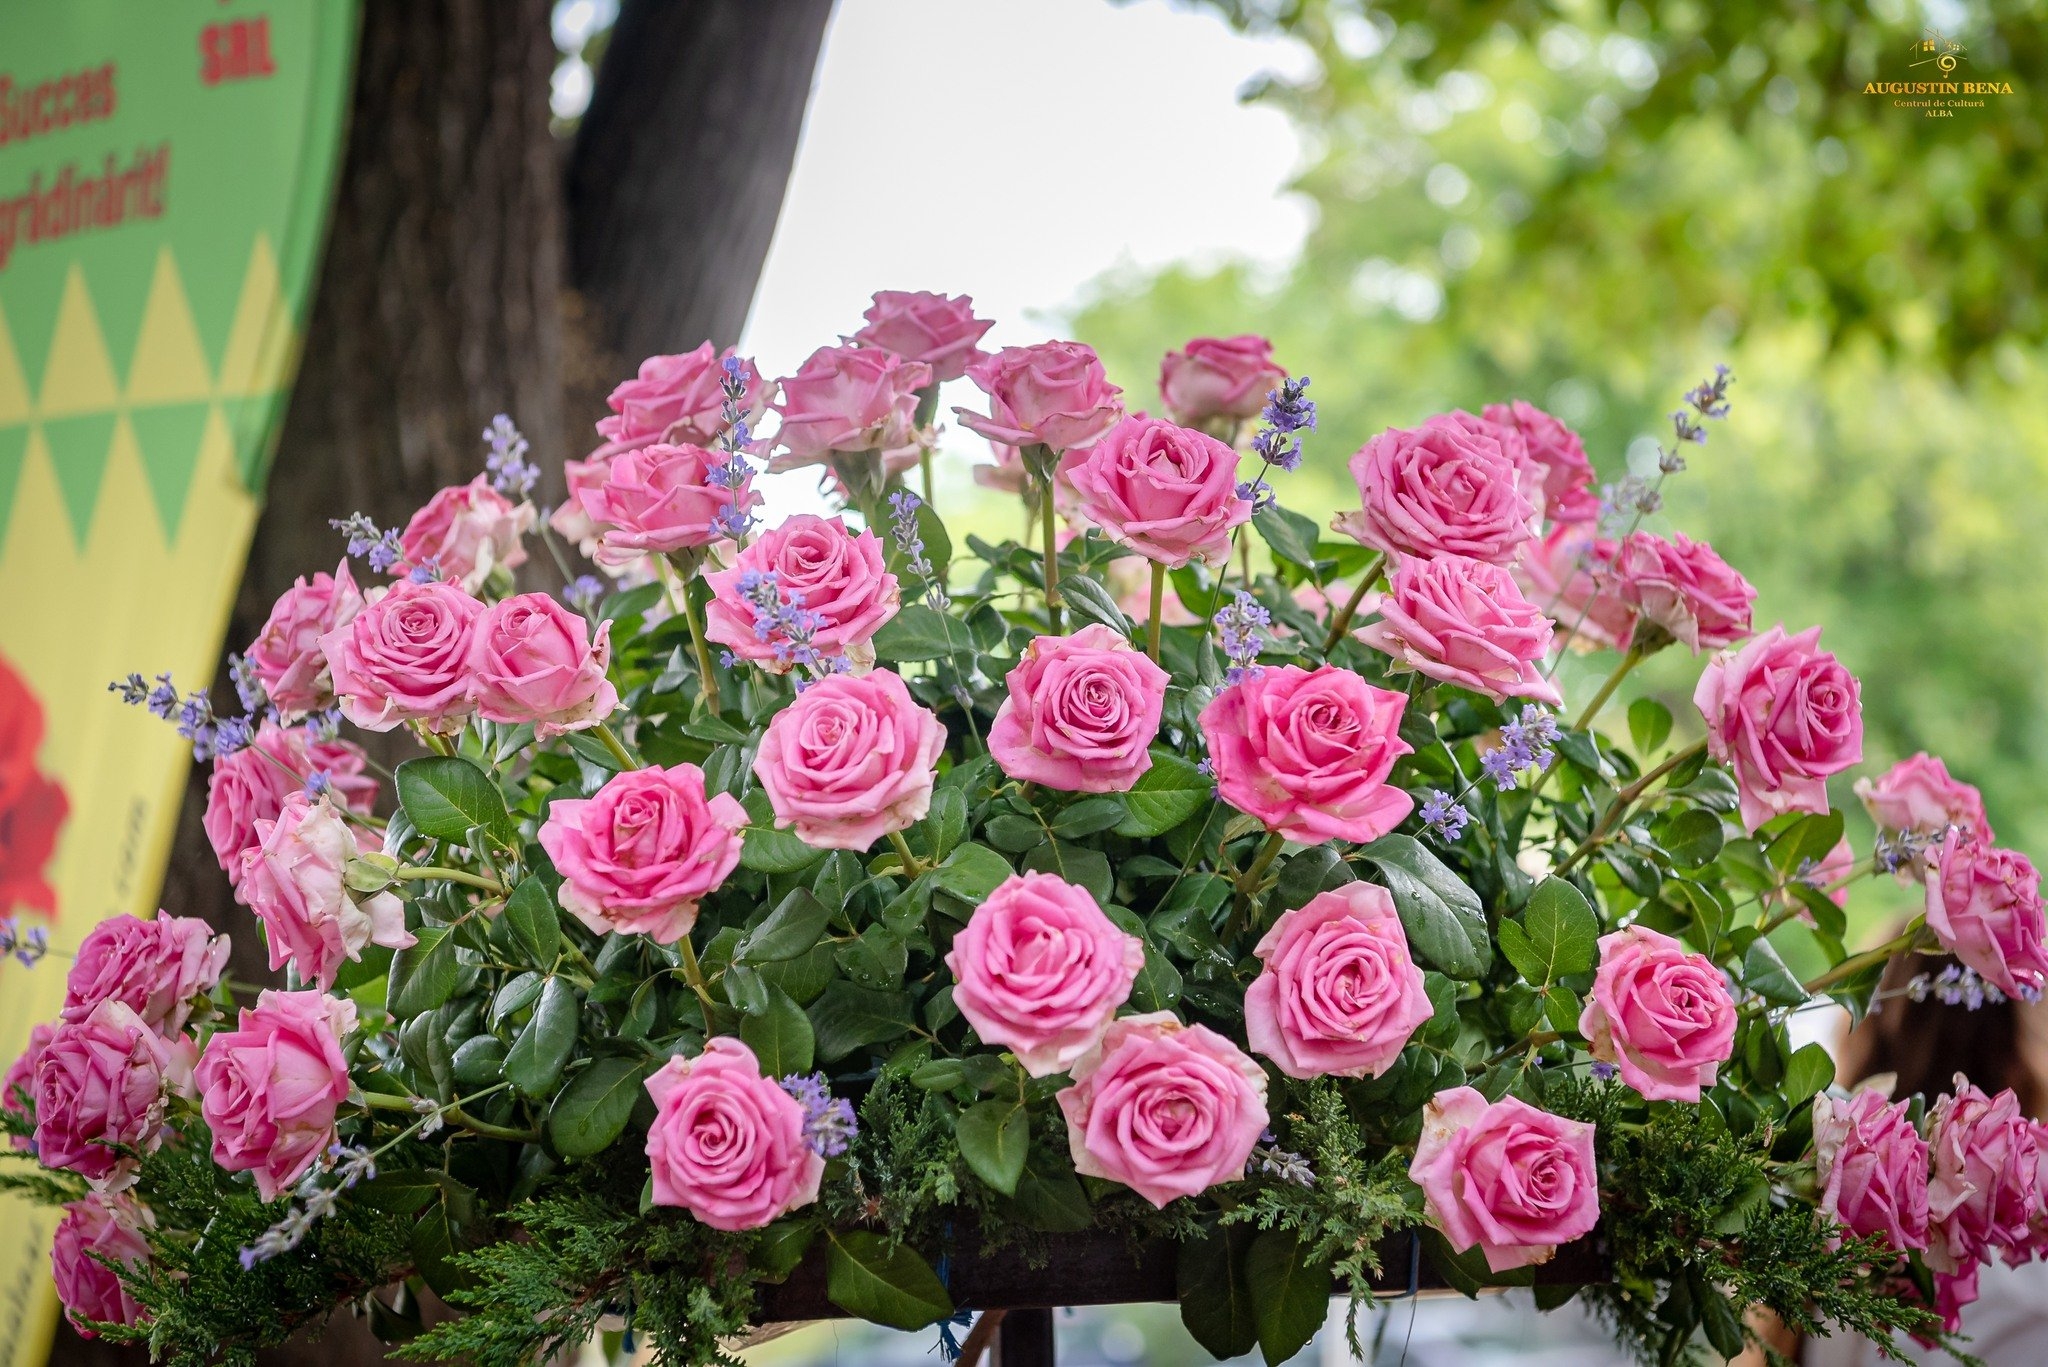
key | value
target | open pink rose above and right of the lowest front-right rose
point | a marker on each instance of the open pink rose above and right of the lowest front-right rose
(1664, 1016)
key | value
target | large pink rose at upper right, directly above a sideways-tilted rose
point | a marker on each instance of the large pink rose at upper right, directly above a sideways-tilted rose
(1443, 489)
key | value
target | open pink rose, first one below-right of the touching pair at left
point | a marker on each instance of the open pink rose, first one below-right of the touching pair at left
(644, 852)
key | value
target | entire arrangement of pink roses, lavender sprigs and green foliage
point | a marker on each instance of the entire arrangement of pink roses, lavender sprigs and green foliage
(835, 890)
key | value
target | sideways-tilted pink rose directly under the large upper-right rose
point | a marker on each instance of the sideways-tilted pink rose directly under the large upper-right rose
(1465, 624)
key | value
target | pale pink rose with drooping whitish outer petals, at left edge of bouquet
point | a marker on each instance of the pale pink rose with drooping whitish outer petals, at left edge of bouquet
(294, 880)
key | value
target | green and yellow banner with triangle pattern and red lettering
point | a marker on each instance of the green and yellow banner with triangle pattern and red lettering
(165, 181)
